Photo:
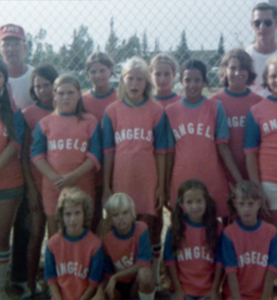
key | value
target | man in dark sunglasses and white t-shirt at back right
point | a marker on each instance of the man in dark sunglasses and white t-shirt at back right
(264, 24)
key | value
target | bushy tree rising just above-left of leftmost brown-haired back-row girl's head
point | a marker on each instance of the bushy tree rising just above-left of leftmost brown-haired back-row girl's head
(80, 48)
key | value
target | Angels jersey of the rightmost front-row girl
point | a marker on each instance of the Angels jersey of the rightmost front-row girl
(250, 252)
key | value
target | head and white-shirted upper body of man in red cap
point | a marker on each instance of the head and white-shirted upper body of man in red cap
(13, 49)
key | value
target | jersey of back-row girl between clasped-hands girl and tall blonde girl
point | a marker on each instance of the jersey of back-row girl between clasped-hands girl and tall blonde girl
(96, 105)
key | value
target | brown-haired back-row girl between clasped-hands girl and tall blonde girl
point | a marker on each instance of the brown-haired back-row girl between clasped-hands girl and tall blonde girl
(99, 69)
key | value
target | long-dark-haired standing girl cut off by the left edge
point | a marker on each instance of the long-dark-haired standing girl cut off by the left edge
(11, 184)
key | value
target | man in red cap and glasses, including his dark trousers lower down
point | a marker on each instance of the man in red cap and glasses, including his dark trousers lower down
(13, 49)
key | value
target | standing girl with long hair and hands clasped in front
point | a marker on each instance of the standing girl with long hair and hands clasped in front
(67, 146)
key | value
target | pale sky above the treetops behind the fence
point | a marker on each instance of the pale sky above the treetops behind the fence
(203, 20)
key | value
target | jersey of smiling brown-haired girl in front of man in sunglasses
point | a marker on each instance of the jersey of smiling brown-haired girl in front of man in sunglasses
(236, 107)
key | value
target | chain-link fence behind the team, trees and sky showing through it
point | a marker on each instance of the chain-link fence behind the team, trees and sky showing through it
(66, 32)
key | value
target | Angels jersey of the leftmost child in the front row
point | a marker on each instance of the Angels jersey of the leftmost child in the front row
(74, 263)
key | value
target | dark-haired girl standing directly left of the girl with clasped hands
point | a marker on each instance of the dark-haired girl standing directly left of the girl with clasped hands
(41, 91)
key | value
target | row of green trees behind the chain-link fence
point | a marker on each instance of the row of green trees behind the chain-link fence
(71, 57)
